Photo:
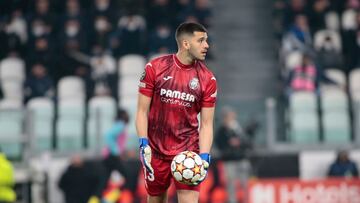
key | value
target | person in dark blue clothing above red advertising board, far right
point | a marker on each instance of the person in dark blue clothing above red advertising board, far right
(343, 167)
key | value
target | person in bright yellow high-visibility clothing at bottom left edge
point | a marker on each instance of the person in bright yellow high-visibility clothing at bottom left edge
(7, 193)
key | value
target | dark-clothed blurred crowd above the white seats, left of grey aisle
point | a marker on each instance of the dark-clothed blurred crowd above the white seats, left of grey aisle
(85, 38)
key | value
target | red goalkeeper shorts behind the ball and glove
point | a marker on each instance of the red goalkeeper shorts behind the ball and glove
(159, 182)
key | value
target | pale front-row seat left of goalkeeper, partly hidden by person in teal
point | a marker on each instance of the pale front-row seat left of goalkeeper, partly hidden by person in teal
(101, 115)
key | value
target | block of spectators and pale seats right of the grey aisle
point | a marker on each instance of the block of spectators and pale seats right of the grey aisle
(319, 52)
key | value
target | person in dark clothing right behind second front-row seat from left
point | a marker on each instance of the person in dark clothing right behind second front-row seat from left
(38, 83)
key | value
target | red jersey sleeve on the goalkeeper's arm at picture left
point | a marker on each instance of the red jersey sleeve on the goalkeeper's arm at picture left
(147, 81)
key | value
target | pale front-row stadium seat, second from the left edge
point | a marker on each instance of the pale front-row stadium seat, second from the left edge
(42, 117)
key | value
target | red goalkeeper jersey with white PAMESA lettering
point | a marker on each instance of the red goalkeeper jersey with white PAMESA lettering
(178, 93)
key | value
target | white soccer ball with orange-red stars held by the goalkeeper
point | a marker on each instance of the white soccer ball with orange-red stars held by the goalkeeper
(187, 167)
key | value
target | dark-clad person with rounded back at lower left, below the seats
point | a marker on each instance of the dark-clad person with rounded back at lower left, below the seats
(82, 181)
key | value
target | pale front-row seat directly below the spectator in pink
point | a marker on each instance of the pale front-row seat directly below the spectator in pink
(303, 118)
